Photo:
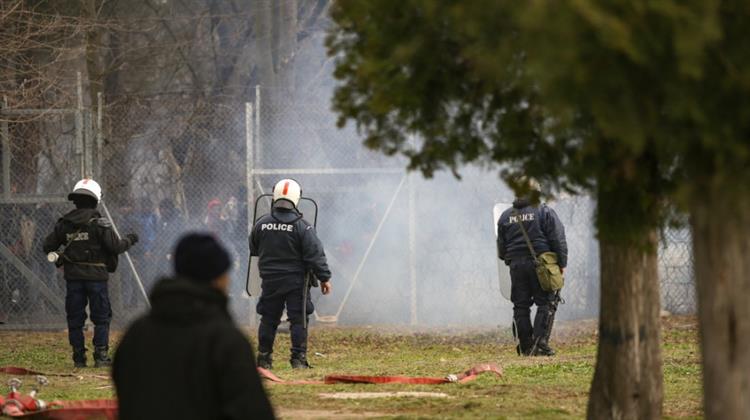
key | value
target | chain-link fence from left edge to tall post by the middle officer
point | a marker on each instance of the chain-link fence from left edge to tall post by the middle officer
(166, 165)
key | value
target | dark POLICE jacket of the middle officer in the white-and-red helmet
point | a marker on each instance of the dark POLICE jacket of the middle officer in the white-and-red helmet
(287, 246)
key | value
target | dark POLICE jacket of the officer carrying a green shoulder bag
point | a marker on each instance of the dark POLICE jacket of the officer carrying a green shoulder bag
(544, 228)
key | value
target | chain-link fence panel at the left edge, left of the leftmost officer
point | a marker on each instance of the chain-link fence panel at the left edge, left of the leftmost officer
(43, 153)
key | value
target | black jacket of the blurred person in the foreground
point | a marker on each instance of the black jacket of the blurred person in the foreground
(187, 360)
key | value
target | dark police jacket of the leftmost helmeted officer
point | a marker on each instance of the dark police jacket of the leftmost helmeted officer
(93, 242)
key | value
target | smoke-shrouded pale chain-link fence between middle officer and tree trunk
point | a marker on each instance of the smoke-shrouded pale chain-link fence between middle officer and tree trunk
(404, 250)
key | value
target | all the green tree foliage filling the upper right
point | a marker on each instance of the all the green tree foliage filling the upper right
(637, 101)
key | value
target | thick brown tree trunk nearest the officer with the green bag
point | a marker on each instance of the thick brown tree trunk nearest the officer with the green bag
(628, 378)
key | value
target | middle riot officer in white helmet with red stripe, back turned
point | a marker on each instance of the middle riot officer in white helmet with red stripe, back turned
(287, 248)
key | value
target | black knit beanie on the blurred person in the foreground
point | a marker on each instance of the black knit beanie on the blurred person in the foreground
(201, 258)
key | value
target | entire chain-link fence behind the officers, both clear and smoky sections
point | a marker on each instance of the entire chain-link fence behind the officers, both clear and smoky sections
(403, 250)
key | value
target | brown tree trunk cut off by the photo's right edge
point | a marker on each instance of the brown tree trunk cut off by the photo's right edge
(721, 248)
